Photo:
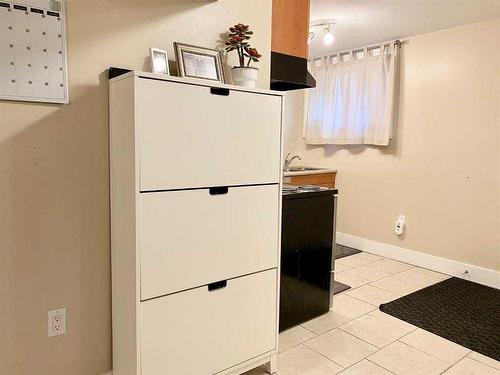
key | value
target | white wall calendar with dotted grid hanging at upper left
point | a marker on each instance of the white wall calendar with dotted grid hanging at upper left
(33, 63)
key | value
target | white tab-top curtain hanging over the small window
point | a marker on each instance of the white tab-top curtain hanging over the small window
(353, 101)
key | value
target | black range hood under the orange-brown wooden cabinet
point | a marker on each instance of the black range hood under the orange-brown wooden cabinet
(290, 73)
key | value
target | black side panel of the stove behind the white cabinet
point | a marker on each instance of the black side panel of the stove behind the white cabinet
(306, 256)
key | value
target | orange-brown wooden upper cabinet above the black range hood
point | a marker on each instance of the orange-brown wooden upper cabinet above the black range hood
(290, 27)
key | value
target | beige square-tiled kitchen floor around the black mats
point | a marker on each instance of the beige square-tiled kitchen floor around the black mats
(355, 338)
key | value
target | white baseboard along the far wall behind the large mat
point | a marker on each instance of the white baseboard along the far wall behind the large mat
(477, 274)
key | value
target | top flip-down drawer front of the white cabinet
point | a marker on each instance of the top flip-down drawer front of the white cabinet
(189, 137)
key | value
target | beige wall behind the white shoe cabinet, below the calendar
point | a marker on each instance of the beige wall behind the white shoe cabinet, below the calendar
(54, 219)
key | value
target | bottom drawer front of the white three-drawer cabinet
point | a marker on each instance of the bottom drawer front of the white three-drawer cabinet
(208, 329)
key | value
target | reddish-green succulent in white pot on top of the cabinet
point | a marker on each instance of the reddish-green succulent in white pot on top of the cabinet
(244, 74)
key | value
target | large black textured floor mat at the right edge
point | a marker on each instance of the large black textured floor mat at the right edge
(458, 310)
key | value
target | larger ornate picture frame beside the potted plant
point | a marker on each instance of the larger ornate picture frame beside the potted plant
(199, 62)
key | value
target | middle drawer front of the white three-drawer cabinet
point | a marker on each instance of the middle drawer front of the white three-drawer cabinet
(195, 237)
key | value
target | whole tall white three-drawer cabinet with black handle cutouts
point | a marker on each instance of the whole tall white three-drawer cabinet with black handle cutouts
(195, 173)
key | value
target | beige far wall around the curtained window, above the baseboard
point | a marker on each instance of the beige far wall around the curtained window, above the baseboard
(443, 171)
